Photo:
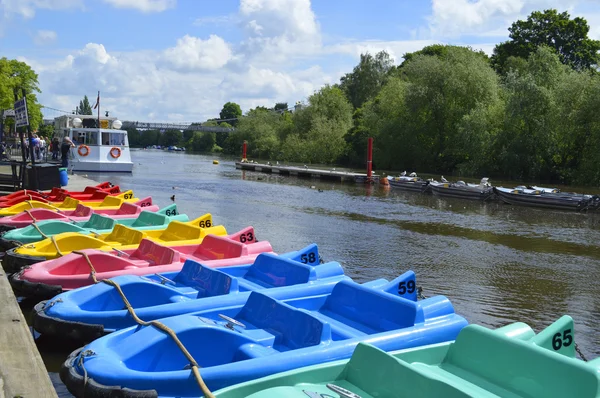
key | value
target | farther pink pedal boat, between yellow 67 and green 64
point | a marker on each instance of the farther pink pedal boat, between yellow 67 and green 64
(80, 213)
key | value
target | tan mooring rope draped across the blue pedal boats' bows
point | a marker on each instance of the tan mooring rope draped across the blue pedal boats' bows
(195, 367)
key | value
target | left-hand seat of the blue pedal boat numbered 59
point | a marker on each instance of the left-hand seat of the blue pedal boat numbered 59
(292, 328)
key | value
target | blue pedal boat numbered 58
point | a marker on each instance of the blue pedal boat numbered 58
(87, 313)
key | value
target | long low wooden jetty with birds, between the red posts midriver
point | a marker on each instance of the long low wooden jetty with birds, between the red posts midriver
(330, 174)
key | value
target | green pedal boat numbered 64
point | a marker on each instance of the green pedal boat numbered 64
(97, 225)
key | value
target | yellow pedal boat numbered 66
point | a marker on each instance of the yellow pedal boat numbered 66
(177, 233)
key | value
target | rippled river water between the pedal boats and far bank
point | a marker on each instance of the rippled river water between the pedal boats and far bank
(497, 263)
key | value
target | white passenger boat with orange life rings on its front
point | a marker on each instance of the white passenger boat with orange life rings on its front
(103, 148)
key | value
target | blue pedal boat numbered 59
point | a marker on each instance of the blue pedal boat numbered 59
(263, 336)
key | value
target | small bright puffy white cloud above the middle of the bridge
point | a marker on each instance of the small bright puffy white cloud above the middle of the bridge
(192, 53)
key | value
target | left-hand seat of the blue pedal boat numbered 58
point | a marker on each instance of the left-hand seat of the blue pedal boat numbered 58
(207, 281)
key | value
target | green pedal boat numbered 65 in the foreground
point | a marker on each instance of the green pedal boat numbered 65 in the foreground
(510, 362)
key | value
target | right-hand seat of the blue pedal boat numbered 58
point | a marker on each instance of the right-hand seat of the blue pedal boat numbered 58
(270, 270)
